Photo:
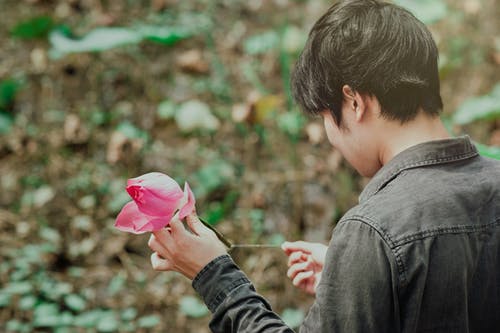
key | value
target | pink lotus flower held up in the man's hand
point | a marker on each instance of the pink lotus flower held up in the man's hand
(156, 199)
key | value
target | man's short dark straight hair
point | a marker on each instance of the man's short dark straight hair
(376, 48)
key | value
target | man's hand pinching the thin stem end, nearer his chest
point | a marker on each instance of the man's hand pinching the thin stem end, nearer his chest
(305, 264)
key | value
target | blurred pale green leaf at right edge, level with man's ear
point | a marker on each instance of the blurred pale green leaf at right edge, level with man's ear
(479, 108)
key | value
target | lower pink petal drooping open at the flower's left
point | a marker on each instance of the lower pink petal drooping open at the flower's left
(130, 219)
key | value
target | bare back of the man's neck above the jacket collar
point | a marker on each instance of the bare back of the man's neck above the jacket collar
(399, 137)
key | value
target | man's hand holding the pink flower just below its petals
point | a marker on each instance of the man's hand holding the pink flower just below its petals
(185, 251)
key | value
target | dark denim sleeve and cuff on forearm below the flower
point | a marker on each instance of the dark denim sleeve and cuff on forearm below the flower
(233, 301)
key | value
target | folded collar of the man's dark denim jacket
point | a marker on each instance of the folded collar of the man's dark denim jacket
(424, 154)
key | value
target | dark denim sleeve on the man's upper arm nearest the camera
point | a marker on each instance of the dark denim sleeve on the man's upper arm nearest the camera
(358, 288)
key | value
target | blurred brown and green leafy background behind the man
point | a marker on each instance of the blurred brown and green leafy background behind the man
(93, 92)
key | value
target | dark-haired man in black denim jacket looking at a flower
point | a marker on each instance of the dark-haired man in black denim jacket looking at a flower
(421, 250)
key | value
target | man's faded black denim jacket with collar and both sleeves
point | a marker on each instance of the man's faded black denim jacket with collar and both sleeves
(420, 253)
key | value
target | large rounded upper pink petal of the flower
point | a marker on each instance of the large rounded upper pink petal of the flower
(155, 194)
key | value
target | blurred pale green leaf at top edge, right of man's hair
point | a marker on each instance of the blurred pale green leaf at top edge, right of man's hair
(427, 11)
